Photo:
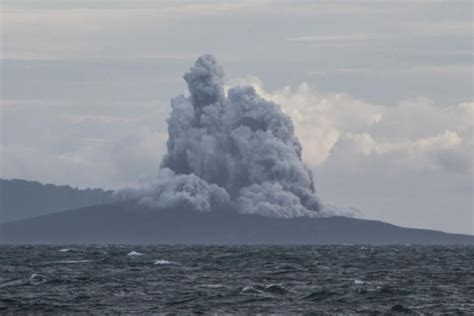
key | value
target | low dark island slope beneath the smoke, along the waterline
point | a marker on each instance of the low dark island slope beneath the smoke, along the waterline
(125, 224)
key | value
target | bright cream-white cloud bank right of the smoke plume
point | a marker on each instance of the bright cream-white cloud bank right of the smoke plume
(336, 128)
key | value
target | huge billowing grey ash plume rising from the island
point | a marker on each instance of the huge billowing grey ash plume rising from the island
(236, 152)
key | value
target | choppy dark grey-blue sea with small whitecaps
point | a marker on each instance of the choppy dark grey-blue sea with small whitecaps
(236, 279)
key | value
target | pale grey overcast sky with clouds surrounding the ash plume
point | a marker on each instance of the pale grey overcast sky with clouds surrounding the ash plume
(380, 93)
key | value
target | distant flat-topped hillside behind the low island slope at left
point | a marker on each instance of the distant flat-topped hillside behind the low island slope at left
(21, 199)
